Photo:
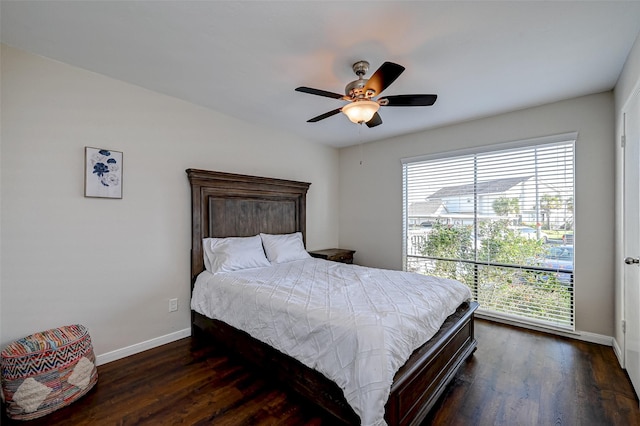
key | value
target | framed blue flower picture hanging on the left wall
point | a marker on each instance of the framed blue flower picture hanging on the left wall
(103, 173)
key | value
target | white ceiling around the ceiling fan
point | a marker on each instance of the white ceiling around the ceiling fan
(245, 58)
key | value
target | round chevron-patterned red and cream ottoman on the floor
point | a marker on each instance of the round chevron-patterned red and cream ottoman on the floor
(47, 371)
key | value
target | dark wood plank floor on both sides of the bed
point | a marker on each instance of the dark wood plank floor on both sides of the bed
(516, 377)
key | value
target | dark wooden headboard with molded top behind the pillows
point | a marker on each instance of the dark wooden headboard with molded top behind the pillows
(232, 205)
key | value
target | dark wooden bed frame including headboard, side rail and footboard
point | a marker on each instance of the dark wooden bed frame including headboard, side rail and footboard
(225, 205)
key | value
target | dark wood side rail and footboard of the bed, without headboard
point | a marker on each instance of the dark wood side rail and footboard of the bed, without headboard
(416, 387)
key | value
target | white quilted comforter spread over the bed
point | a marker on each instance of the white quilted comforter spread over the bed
(355, 325)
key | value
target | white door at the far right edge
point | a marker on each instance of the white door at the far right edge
(632, 239)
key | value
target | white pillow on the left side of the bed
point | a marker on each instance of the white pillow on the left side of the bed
(233, 253)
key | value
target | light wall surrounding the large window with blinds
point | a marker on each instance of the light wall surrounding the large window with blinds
(371, 193)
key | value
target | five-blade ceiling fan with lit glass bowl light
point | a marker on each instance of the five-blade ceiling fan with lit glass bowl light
(361, 94)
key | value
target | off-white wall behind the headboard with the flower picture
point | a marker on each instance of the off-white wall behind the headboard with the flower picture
(110, 264)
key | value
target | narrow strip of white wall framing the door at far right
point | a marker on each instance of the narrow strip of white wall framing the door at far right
(628, 82)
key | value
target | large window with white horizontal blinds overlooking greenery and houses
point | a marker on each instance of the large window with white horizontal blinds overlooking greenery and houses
(500, 220)
